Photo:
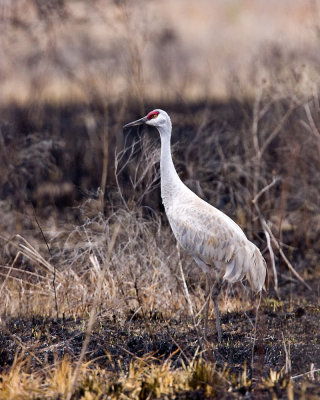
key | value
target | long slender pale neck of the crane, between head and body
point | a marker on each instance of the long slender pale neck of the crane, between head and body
(171, 184)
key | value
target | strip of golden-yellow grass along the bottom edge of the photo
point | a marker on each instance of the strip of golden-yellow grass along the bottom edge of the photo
(145, 379)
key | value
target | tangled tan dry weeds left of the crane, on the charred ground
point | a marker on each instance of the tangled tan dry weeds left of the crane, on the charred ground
(140, 276)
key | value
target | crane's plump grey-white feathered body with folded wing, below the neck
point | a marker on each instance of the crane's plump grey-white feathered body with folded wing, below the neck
(217, 240)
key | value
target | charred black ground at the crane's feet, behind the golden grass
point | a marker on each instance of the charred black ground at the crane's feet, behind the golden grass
(287, 334)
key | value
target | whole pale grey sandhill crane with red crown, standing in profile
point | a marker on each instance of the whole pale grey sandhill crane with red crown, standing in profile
(217, 244)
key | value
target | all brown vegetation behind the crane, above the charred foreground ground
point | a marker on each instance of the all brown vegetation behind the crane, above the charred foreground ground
(240, 80)
